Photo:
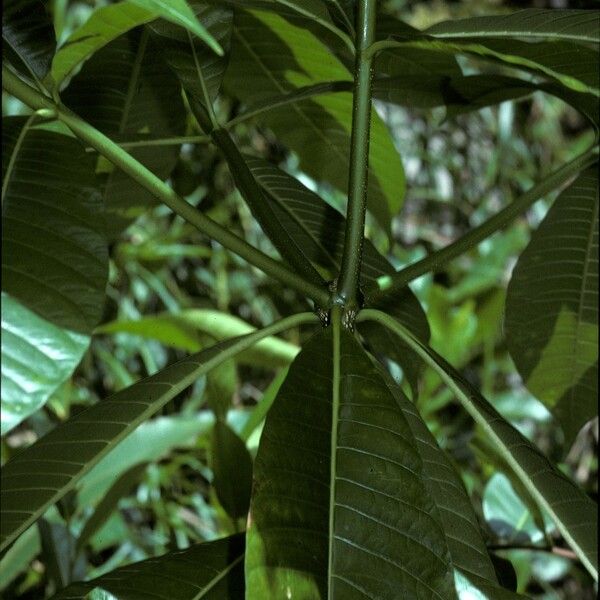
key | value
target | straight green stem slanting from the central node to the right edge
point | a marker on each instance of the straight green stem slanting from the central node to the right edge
(392, 284)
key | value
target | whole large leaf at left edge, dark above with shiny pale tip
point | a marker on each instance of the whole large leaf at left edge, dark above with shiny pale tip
(54, 264)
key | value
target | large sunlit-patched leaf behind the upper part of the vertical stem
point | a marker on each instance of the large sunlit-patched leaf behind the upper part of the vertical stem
(270, 57)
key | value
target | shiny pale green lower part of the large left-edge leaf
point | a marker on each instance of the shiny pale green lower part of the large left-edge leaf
(37, 357)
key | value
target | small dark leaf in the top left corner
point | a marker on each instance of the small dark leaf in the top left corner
(28, 36)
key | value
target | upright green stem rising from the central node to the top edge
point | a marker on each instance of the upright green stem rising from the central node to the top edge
(359, 157)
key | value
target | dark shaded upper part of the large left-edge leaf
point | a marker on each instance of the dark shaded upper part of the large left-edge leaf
(54, 251)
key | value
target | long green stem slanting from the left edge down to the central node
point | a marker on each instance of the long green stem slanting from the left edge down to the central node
(121, 159)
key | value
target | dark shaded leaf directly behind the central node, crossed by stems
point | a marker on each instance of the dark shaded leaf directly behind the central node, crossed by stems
(319, 230)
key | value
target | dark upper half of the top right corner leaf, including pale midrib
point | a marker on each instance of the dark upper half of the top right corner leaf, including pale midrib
(571, 25)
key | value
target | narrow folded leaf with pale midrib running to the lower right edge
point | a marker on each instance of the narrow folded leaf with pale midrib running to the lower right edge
(575, 515)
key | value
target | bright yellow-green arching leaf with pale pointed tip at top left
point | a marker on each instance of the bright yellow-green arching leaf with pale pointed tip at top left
(109, 22)
